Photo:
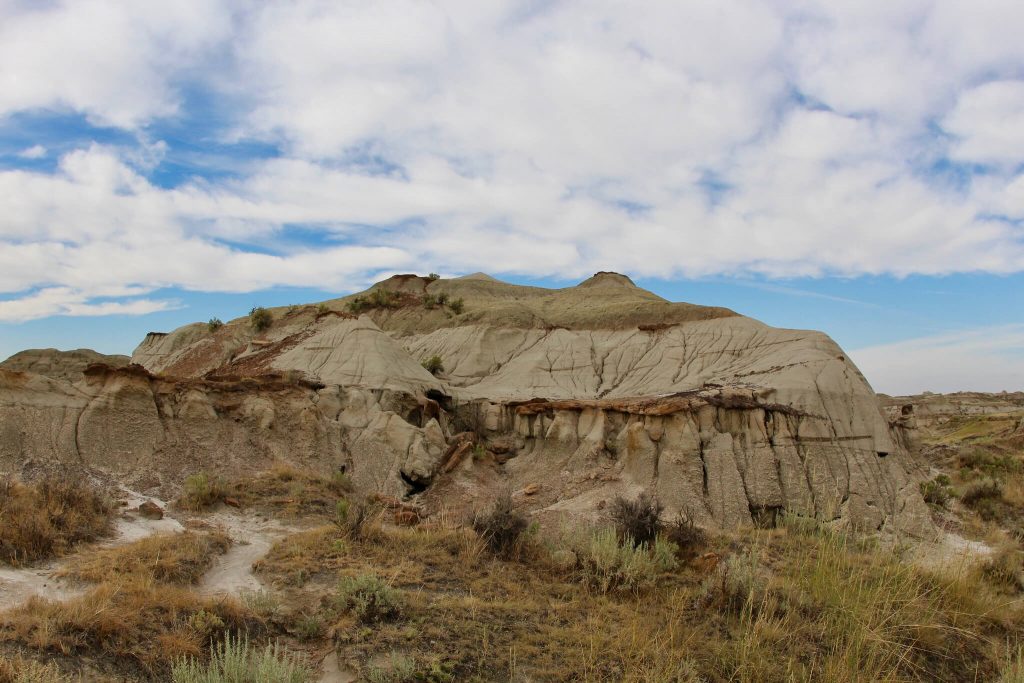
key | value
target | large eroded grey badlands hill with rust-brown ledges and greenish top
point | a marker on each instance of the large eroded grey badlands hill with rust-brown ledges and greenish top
(569, 398)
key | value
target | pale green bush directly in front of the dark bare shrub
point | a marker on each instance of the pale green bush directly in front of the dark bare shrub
(609, 564)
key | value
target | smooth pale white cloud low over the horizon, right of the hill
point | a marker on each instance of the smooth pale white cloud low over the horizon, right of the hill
(979, 360)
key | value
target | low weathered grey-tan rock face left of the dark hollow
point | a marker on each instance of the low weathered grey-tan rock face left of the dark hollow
(152, 433)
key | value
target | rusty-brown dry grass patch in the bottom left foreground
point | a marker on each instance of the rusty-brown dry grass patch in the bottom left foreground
(142, 625)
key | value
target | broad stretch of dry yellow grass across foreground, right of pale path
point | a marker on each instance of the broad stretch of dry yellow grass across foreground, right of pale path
(813, 607)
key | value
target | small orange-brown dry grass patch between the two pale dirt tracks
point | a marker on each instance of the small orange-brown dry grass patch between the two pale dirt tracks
(169, 559)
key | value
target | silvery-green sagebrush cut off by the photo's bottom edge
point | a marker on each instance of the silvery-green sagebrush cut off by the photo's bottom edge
(238, 662)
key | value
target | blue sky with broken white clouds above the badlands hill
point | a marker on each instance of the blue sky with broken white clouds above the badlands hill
(856, 166)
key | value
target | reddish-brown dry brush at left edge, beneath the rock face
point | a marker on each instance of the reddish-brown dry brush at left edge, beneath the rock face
(47, 519)
